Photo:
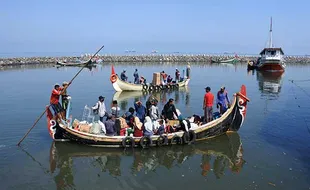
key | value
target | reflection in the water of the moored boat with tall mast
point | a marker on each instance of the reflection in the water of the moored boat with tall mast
(270, 83)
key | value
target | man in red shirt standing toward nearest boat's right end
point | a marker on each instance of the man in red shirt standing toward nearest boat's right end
(207, 105)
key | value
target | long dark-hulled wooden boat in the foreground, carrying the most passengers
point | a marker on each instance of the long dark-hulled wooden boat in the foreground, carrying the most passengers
(231, 120)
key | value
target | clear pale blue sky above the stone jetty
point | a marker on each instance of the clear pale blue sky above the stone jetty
(72, 27)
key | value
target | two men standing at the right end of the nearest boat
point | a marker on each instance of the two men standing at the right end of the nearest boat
(222, 103)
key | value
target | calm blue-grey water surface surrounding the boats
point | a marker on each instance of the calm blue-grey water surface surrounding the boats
(270, 151)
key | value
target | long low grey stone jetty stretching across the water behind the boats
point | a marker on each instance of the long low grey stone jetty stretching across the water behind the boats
(152, 58)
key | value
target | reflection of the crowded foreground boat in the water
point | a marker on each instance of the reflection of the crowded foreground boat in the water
(225, 152)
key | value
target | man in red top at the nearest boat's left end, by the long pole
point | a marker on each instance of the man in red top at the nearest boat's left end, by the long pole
(54, 101)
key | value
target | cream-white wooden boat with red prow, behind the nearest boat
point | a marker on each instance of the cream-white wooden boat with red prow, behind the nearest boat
(120, 85)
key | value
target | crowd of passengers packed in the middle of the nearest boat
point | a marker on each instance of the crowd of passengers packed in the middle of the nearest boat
(139, 120)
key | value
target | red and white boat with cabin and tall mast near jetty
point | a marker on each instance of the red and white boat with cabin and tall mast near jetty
(272, 59)
